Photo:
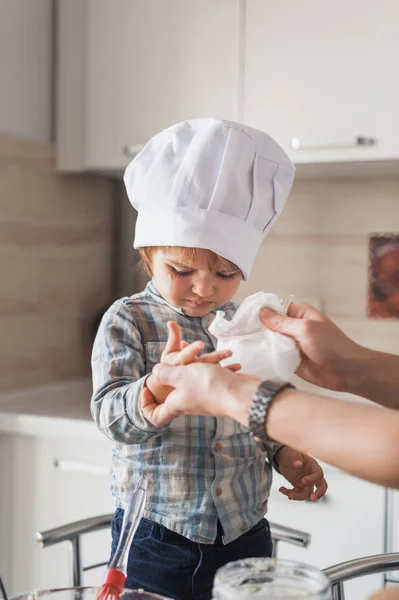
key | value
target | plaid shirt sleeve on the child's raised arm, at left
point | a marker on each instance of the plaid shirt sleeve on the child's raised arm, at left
(118, 371)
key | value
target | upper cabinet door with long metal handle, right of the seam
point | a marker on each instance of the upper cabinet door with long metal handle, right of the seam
(324, 73)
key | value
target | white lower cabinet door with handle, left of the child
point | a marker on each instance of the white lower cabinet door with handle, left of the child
(71, 483)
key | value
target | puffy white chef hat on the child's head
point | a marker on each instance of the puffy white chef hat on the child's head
(208, 183)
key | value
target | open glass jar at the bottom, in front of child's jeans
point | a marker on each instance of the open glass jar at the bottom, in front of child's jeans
(270, 579)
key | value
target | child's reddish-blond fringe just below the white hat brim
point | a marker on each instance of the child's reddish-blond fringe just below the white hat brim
(189, 256)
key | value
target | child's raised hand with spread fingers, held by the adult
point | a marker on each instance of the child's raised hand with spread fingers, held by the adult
(176, 353)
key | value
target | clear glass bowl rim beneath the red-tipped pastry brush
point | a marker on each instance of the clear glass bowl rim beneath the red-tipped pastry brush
(84, 593)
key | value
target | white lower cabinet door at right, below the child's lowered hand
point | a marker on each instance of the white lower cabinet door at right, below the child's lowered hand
(346, 524)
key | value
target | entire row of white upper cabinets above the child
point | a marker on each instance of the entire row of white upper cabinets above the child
(318, 76)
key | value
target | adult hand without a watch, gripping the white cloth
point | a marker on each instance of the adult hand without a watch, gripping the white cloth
(328, 357)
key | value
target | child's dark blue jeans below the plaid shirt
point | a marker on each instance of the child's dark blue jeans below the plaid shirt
(166, 563)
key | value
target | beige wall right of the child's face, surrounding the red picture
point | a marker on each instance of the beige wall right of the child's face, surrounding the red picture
(318, 251)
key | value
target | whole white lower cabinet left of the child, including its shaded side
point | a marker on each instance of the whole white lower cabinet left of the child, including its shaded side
(51, 480)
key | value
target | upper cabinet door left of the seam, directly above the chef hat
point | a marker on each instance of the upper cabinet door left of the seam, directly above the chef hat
(153, 63)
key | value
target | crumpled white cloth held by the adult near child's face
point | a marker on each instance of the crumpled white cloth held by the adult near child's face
(261, 352)
